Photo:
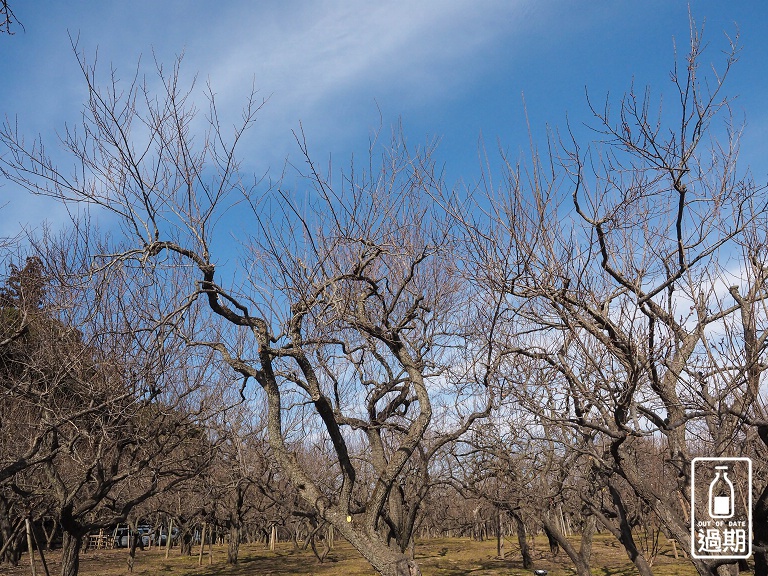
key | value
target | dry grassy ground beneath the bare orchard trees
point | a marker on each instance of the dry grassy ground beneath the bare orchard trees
(437, 557)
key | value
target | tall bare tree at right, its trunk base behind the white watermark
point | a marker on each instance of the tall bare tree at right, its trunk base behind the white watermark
(621, 298)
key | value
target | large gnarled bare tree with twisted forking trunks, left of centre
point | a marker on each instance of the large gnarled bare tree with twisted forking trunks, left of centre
(345, 308)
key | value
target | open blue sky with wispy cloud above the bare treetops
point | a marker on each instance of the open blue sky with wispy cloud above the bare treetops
(452, 70)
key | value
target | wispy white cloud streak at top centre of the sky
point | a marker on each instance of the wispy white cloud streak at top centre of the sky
(320, 63)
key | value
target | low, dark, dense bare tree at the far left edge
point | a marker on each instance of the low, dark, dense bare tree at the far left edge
(110, 409)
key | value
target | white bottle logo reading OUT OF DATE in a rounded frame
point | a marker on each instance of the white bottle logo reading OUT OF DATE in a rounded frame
(721, 508)
